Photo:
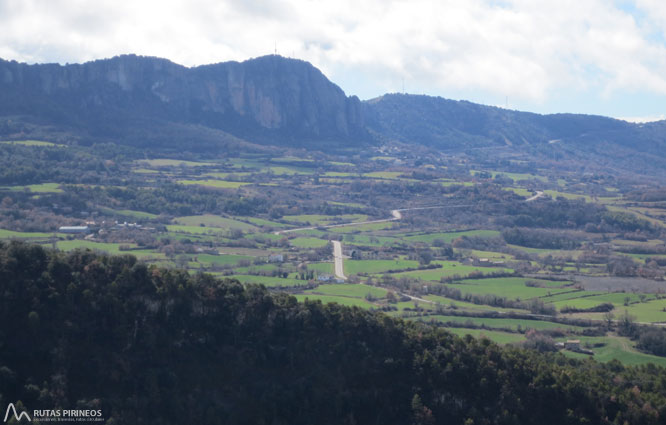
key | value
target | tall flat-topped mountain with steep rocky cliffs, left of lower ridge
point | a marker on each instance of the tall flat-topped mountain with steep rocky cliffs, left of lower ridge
(270, 96)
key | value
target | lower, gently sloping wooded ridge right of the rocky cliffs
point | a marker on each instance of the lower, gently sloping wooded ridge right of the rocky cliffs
(461, 126)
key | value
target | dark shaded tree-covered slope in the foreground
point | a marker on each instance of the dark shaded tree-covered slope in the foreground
(148, 345)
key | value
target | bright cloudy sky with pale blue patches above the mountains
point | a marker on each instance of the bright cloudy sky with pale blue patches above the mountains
(600, 57)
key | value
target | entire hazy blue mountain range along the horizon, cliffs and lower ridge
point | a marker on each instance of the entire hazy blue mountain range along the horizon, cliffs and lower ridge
(271, 100)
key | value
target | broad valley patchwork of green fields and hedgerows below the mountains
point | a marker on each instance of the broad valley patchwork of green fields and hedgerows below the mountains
(449, 262)
